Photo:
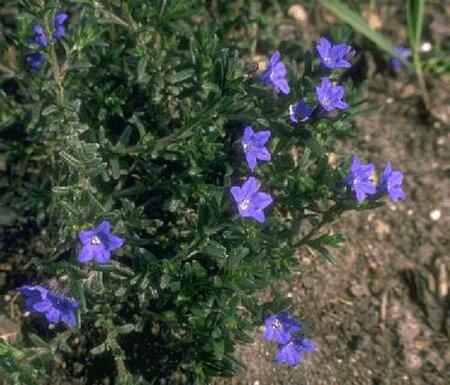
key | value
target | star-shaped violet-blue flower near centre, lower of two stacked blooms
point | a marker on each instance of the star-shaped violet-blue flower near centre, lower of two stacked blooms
(250, 202)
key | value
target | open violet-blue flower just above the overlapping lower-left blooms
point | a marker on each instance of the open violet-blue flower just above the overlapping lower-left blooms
(98, 244)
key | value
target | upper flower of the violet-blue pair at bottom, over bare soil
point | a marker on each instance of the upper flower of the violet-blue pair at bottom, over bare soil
(279, 327)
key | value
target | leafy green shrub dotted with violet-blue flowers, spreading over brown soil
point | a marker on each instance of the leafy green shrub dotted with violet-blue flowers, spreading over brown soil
(176, 179)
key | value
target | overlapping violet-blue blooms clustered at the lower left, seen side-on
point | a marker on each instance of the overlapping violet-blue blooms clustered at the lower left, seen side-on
(56, 307)
